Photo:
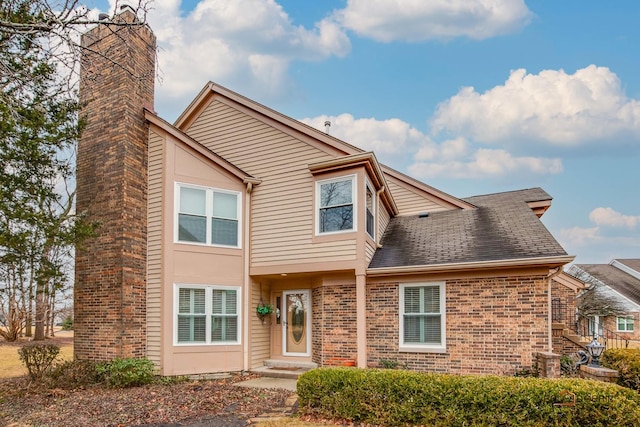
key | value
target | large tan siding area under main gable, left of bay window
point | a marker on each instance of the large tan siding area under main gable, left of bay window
(282, 205)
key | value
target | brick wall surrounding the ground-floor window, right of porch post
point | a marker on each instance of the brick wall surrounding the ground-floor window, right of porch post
(494, 326)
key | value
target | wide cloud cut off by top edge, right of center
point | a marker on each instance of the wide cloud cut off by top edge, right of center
(417, 20)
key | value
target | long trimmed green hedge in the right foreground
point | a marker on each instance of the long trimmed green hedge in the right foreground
(399, 398)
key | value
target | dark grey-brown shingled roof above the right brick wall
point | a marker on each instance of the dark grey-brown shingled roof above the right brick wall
(501, 227)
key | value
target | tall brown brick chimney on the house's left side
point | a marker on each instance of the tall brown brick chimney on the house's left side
(116, 82)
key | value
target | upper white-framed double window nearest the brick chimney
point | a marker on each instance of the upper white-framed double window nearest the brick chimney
(208, 216)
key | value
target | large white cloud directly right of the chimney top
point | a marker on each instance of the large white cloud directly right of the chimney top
(246, 44)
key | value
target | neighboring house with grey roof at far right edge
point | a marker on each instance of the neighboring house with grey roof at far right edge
(618, 285)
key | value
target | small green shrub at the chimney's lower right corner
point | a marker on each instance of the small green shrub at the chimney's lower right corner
(129, 372)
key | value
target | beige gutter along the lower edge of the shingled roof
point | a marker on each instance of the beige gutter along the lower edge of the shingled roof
(556, 261)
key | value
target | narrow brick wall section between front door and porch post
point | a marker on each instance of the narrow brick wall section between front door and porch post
(334, 323)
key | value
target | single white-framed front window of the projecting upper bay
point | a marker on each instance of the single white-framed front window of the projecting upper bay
(335, 205)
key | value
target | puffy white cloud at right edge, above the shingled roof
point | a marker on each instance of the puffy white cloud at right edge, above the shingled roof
(551, 107)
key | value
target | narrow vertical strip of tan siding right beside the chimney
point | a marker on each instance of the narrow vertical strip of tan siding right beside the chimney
(154, 249)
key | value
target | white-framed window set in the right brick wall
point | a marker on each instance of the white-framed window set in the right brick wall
(422, 317)
